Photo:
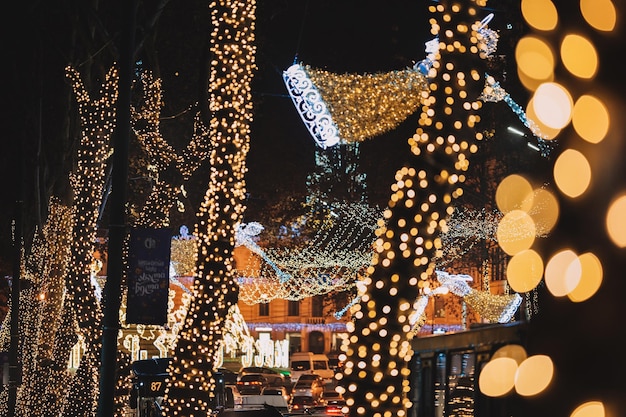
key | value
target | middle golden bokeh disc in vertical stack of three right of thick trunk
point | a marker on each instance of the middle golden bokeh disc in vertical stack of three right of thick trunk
(516, 232)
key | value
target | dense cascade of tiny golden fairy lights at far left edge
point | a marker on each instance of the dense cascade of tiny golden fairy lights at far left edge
(42, 317)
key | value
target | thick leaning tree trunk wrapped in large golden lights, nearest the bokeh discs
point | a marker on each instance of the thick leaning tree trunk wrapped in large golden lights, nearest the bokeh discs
(376, 373)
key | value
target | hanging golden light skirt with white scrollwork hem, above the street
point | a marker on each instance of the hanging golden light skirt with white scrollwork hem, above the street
(326, 101)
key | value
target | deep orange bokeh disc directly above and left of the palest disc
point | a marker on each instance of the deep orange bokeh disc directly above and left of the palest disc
(534, 58)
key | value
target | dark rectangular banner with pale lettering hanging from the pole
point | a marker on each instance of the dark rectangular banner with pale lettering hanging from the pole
(148, 276)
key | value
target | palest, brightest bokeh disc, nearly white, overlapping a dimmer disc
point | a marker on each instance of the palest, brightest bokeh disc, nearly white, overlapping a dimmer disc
(553, 105)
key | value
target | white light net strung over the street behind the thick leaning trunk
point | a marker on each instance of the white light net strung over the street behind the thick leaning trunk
(338, 256)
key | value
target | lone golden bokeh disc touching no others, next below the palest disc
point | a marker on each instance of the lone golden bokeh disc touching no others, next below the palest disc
(572, 173)
